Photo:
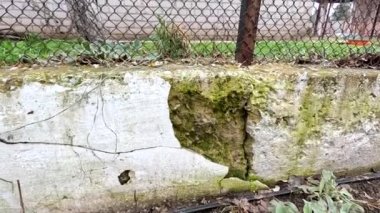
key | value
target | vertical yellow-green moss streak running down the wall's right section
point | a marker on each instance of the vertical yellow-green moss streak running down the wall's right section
(314, 111)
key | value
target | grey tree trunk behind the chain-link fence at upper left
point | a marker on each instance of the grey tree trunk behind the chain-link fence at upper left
(85, 20)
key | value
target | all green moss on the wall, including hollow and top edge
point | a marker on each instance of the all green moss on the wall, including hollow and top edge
(209, 113)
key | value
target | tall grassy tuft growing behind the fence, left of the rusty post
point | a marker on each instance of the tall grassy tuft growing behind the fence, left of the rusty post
(170, 41)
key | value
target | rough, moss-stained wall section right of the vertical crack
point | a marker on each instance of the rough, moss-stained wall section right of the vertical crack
(318, 120)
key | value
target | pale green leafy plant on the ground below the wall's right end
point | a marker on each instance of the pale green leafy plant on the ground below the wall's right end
(324, 197)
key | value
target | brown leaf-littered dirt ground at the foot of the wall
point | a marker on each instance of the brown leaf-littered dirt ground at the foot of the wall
(367, 194)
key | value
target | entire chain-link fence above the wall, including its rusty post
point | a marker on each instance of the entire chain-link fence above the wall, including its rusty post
(101, 31)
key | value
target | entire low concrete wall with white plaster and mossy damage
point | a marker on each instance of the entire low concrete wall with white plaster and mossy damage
(69, 134)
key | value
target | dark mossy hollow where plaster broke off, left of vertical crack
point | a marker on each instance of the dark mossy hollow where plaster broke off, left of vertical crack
(209, 116)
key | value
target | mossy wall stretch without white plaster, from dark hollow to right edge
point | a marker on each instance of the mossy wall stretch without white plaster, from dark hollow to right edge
(298, 120)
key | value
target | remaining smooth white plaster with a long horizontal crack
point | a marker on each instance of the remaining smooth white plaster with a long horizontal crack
(68, 146)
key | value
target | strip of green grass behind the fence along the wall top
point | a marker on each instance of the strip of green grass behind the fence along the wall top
(34, 48)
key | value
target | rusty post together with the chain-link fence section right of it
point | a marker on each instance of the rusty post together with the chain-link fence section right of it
(344, 31)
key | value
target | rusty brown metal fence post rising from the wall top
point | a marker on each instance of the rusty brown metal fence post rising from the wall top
(248, 27)
